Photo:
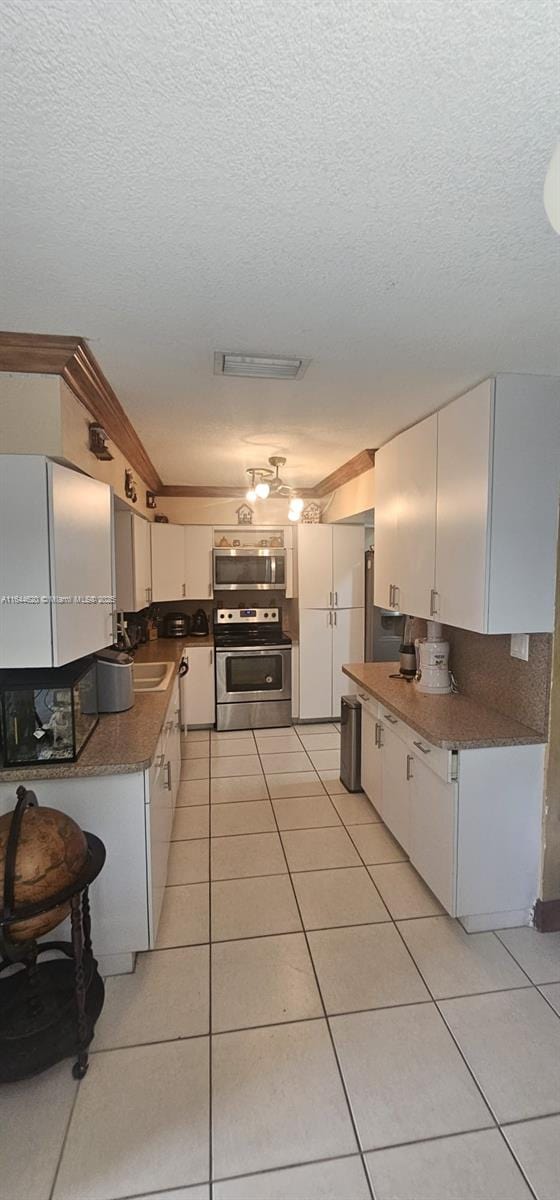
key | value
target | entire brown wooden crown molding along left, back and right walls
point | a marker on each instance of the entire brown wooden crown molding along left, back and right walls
(73, 359)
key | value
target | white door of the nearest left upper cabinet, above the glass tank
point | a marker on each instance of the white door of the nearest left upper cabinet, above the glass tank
(81, 521)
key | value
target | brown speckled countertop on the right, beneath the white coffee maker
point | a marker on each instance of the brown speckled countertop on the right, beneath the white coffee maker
(454, 723)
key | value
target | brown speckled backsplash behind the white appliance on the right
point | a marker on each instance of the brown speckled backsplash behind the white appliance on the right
(485, 670)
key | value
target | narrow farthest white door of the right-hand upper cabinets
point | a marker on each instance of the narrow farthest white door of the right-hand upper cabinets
(388, 479)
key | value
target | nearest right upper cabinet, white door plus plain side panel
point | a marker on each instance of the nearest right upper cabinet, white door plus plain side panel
(498, 490)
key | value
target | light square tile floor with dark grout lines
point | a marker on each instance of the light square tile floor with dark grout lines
(312, 1027)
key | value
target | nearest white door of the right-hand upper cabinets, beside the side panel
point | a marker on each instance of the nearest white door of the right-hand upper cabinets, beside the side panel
(465, 447)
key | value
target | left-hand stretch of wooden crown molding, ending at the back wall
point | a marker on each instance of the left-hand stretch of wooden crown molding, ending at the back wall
(74, 362)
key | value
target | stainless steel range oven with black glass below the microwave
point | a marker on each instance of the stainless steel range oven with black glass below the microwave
(254, 669)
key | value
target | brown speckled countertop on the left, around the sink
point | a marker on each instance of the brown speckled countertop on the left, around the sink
(122, 743)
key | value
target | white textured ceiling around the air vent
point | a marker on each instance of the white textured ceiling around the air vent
(358, 182)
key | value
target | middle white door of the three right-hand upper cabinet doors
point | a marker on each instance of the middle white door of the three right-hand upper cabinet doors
(416, 572)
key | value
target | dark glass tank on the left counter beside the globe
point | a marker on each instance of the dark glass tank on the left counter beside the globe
(47, 715)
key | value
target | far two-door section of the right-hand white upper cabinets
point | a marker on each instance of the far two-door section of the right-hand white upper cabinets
(406, 520)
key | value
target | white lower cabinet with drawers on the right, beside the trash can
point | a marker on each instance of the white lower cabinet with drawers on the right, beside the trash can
(469, 820)
